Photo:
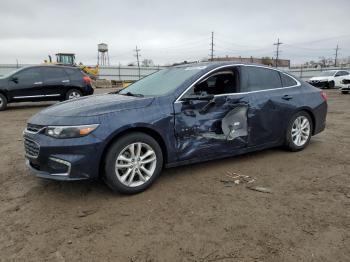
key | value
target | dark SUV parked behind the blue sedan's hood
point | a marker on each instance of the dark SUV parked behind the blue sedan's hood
(44, 83)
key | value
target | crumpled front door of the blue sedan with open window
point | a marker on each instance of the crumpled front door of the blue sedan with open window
(210, 117)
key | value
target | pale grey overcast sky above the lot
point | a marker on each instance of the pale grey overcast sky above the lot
(172, 31)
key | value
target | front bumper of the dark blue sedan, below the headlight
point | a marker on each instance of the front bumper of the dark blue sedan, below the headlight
(63, 159)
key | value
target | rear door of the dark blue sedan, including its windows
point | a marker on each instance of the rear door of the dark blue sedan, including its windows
(273, 98)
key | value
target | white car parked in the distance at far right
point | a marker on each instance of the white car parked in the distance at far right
(329, 79)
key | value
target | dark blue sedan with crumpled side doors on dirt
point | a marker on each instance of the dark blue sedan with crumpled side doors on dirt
(177, 116)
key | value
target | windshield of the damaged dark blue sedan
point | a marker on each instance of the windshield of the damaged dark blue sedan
(161, 82)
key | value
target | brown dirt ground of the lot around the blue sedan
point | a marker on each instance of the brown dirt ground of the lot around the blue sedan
(189, 214)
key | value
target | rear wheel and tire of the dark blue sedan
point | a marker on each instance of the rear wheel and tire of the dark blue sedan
(299, 131)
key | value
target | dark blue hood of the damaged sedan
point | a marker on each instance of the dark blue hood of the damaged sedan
(96, 105)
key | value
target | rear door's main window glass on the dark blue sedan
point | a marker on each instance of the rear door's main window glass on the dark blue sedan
(260, 78)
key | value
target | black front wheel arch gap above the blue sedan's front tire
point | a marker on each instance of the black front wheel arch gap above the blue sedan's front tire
(142, 129)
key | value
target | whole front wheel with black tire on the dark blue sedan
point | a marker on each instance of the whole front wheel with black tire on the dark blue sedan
(133, 163)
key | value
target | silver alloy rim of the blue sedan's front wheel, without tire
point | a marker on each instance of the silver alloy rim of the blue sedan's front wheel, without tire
(135, 164)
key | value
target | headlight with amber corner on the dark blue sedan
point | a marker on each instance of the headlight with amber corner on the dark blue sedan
(70, 131)
